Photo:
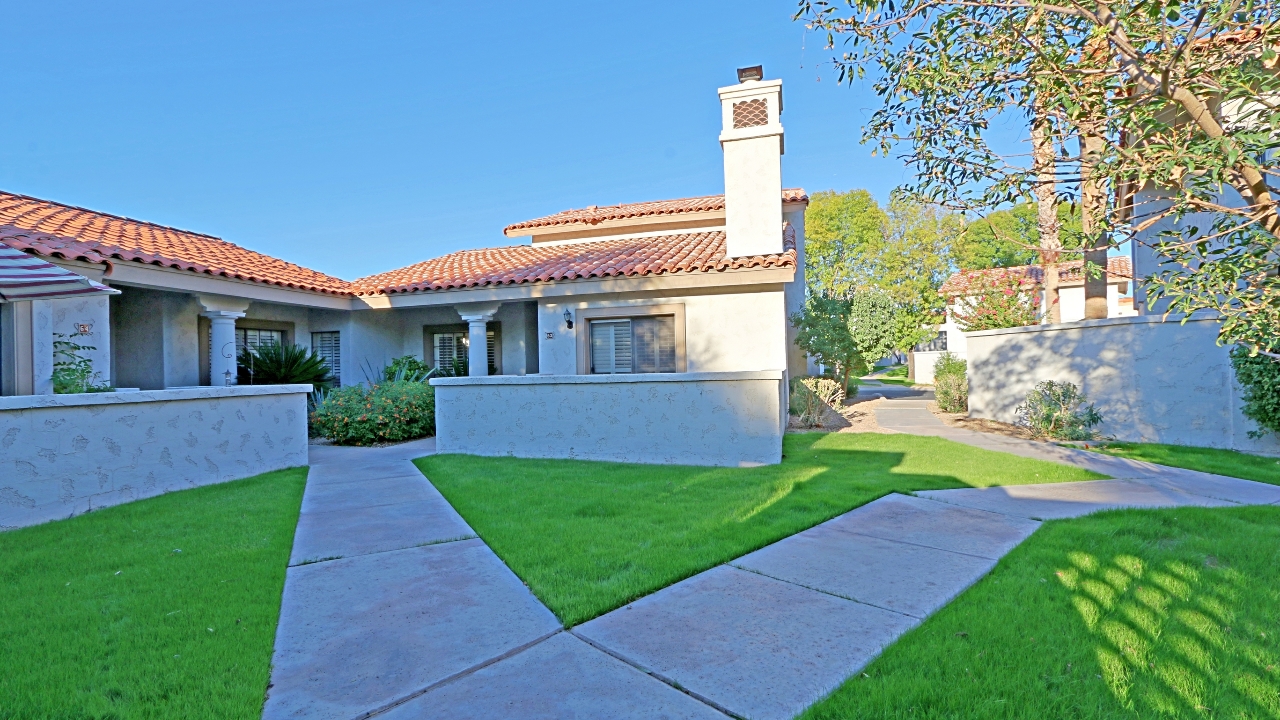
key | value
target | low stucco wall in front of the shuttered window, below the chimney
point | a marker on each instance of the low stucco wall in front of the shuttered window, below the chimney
(732, 420)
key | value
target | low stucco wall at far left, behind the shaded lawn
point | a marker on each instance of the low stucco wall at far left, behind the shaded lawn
(62, 455)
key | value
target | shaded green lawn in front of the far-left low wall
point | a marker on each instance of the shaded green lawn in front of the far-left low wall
(163, 608)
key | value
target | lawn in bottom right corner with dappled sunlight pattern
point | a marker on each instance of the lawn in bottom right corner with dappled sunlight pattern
(1126, 614)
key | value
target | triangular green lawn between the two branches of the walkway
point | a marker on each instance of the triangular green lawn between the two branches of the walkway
(589, 537)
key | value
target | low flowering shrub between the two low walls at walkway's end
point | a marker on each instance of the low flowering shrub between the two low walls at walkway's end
(391, 412)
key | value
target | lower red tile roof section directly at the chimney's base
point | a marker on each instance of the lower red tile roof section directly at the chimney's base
(688, 253)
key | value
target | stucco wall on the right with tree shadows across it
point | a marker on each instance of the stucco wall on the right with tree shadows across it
(1154, 381)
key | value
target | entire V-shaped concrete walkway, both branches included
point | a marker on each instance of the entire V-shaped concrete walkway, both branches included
(395, 609)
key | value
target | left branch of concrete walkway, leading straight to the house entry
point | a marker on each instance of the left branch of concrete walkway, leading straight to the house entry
(394, 608)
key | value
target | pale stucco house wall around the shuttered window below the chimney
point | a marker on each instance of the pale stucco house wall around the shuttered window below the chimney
(724, 332)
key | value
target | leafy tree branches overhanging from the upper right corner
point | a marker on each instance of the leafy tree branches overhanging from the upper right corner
(1174, 94)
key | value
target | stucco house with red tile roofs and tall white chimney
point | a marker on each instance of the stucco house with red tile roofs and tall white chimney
(678, 289)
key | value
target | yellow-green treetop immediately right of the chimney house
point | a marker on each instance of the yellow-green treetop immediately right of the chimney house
(839, 230)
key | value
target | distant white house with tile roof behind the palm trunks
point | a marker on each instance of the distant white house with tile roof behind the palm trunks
(952, 339)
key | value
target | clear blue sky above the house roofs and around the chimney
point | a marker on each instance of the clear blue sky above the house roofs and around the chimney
(359, 138)
